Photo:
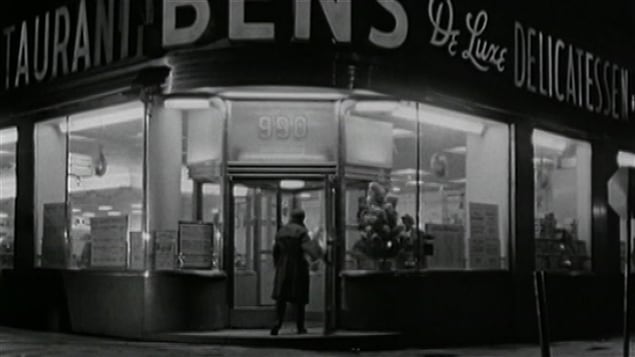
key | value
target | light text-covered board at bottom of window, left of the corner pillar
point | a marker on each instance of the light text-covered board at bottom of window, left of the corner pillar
(109, 246)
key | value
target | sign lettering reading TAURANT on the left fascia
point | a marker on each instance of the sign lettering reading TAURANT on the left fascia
(73, 38)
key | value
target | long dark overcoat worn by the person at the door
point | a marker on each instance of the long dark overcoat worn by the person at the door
(291, 282)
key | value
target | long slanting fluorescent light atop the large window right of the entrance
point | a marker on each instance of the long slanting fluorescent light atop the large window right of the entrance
(441, 117)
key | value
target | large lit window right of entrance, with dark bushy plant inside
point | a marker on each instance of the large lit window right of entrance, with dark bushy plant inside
(426, 188)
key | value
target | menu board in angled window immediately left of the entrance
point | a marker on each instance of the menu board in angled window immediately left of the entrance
(196, 244)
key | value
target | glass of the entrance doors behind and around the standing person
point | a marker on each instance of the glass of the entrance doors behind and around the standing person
(261, 207)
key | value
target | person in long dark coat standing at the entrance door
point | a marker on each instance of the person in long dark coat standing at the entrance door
(291, 281)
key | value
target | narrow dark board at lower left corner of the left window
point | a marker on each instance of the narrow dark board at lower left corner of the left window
(54, 235)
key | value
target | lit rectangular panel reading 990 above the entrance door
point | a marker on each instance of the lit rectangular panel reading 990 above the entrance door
(294, 132)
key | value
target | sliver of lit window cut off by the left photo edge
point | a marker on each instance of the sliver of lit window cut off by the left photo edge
(8, 141)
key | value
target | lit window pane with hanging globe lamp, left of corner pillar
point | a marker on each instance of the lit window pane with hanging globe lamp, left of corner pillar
(105, 185)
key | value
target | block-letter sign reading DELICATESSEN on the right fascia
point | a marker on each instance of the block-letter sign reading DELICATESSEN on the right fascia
(551, 67)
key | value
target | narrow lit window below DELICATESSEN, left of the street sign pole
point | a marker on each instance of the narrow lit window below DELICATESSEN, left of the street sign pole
(562, 188)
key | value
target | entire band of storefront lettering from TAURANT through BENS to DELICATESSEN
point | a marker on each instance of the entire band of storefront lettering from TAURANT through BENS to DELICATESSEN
(92, 34)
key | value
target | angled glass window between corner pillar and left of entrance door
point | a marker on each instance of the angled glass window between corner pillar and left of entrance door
(185, 200)
